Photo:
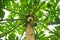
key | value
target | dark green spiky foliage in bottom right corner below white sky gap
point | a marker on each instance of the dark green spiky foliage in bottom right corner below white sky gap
(55, 35)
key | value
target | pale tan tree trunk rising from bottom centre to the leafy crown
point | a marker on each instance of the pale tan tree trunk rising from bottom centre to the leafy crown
(29, 32)
